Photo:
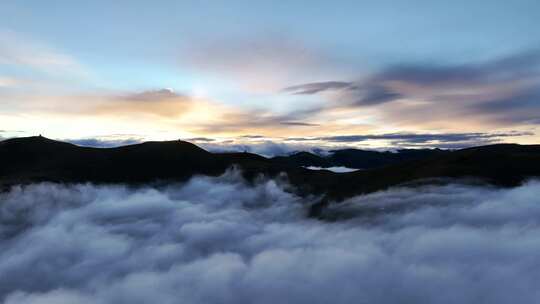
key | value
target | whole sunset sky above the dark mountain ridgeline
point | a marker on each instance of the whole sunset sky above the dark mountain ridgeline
(370, 74)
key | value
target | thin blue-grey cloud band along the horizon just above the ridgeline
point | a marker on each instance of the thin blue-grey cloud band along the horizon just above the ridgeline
(270, 147)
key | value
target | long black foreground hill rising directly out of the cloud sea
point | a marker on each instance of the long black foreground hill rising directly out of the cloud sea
(35, 159)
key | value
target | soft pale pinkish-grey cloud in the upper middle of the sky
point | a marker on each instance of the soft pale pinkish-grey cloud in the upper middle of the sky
(260, 64)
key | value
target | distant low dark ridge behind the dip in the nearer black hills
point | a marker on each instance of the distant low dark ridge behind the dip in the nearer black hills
(358, 159)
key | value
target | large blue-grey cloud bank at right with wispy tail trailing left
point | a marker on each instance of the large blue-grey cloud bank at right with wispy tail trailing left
(502, 92)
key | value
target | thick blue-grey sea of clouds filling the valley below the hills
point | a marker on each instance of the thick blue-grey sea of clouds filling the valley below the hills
(220, 240)
